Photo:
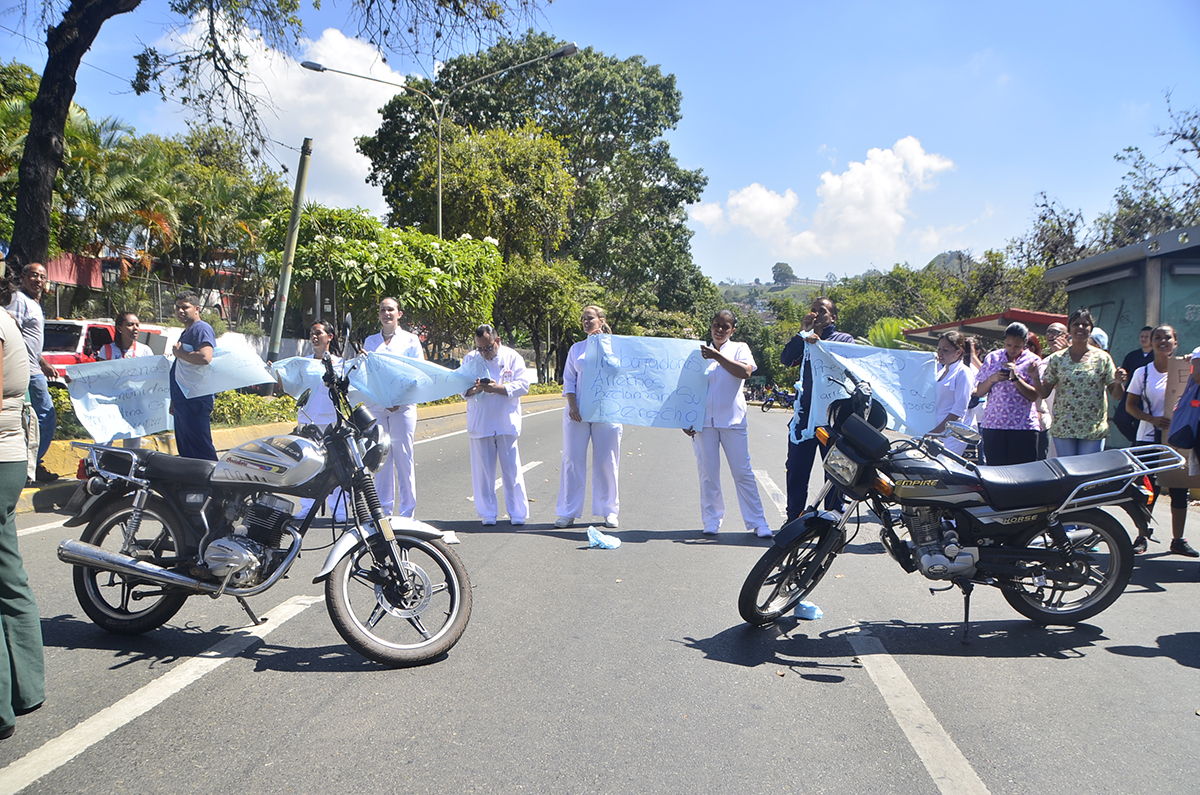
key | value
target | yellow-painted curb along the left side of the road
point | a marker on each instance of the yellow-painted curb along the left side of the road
(64, 461)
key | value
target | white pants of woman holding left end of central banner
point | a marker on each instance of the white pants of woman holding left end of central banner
(605, 440)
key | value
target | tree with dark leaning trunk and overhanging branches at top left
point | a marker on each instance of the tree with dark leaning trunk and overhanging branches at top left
(211, 74)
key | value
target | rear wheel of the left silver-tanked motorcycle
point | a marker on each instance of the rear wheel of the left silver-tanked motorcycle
(115, 601)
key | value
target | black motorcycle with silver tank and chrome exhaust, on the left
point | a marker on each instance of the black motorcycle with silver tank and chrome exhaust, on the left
(161, 529)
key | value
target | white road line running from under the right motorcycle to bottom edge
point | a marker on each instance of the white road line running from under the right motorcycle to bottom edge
(946, 764)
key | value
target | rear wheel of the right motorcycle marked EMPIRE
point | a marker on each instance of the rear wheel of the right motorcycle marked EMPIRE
(1108, 564)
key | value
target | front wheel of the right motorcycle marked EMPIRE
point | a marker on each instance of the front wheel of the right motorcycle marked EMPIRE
(787, 575)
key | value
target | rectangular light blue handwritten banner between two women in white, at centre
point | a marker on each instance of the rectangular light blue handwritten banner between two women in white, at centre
(644, 381)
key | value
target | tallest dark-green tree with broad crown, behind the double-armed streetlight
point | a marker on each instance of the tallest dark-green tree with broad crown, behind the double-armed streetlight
(627, 228)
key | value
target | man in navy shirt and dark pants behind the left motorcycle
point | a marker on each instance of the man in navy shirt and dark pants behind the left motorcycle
(194, 417)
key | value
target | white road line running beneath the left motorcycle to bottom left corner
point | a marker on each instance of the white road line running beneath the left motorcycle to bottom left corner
(75, 742)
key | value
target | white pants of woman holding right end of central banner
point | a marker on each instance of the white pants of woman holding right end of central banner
(736, 443)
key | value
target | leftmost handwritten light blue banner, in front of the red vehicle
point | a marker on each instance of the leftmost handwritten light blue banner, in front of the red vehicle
(122, 399)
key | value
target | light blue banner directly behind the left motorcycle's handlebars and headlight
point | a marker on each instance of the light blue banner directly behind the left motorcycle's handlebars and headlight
(389, 380)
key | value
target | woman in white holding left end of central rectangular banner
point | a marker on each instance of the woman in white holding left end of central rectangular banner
(605, 439)
